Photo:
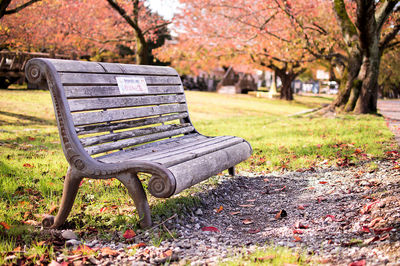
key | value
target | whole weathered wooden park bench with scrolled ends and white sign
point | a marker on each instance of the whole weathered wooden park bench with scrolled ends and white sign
(118, 120)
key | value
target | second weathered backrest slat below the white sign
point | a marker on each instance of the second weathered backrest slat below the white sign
(125, 114)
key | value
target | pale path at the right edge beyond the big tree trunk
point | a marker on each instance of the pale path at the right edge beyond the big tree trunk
(390, 109)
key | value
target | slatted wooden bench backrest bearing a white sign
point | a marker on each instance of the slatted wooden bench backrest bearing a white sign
(119, 106)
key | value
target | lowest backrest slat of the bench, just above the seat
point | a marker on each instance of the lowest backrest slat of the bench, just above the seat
(135, 141)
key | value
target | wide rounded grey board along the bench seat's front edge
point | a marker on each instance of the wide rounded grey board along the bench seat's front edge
(196, 170)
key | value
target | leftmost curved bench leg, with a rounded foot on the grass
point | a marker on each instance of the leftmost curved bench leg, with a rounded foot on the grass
(71, 186)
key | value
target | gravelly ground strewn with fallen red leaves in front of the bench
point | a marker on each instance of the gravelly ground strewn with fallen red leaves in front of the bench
(338, 215)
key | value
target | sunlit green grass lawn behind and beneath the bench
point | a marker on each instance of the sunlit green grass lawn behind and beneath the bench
(32, 164)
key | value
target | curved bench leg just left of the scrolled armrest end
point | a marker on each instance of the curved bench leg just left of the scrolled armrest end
(135, 189)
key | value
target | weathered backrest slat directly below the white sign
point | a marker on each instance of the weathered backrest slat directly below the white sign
(121, 102)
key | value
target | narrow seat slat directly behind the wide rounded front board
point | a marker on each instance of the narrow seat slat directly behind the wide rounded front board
(194, 153)
